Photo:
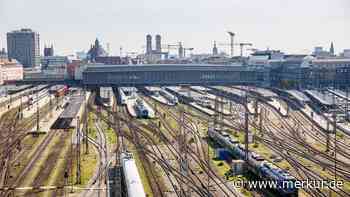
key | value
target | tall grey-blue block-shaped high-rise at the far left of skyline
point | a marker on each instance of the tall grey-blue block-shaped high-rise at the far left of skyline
(24, 46)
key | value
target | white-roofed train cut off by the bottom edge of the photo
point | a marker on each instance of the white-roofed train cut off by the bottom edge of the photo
(131, 176)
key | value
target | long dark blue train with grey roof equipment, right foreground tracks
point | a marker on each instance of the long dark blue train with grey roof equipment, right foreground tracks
(262, 168)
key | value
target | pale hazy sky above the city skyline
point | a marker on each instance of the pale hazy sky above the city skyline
(293, 26)
